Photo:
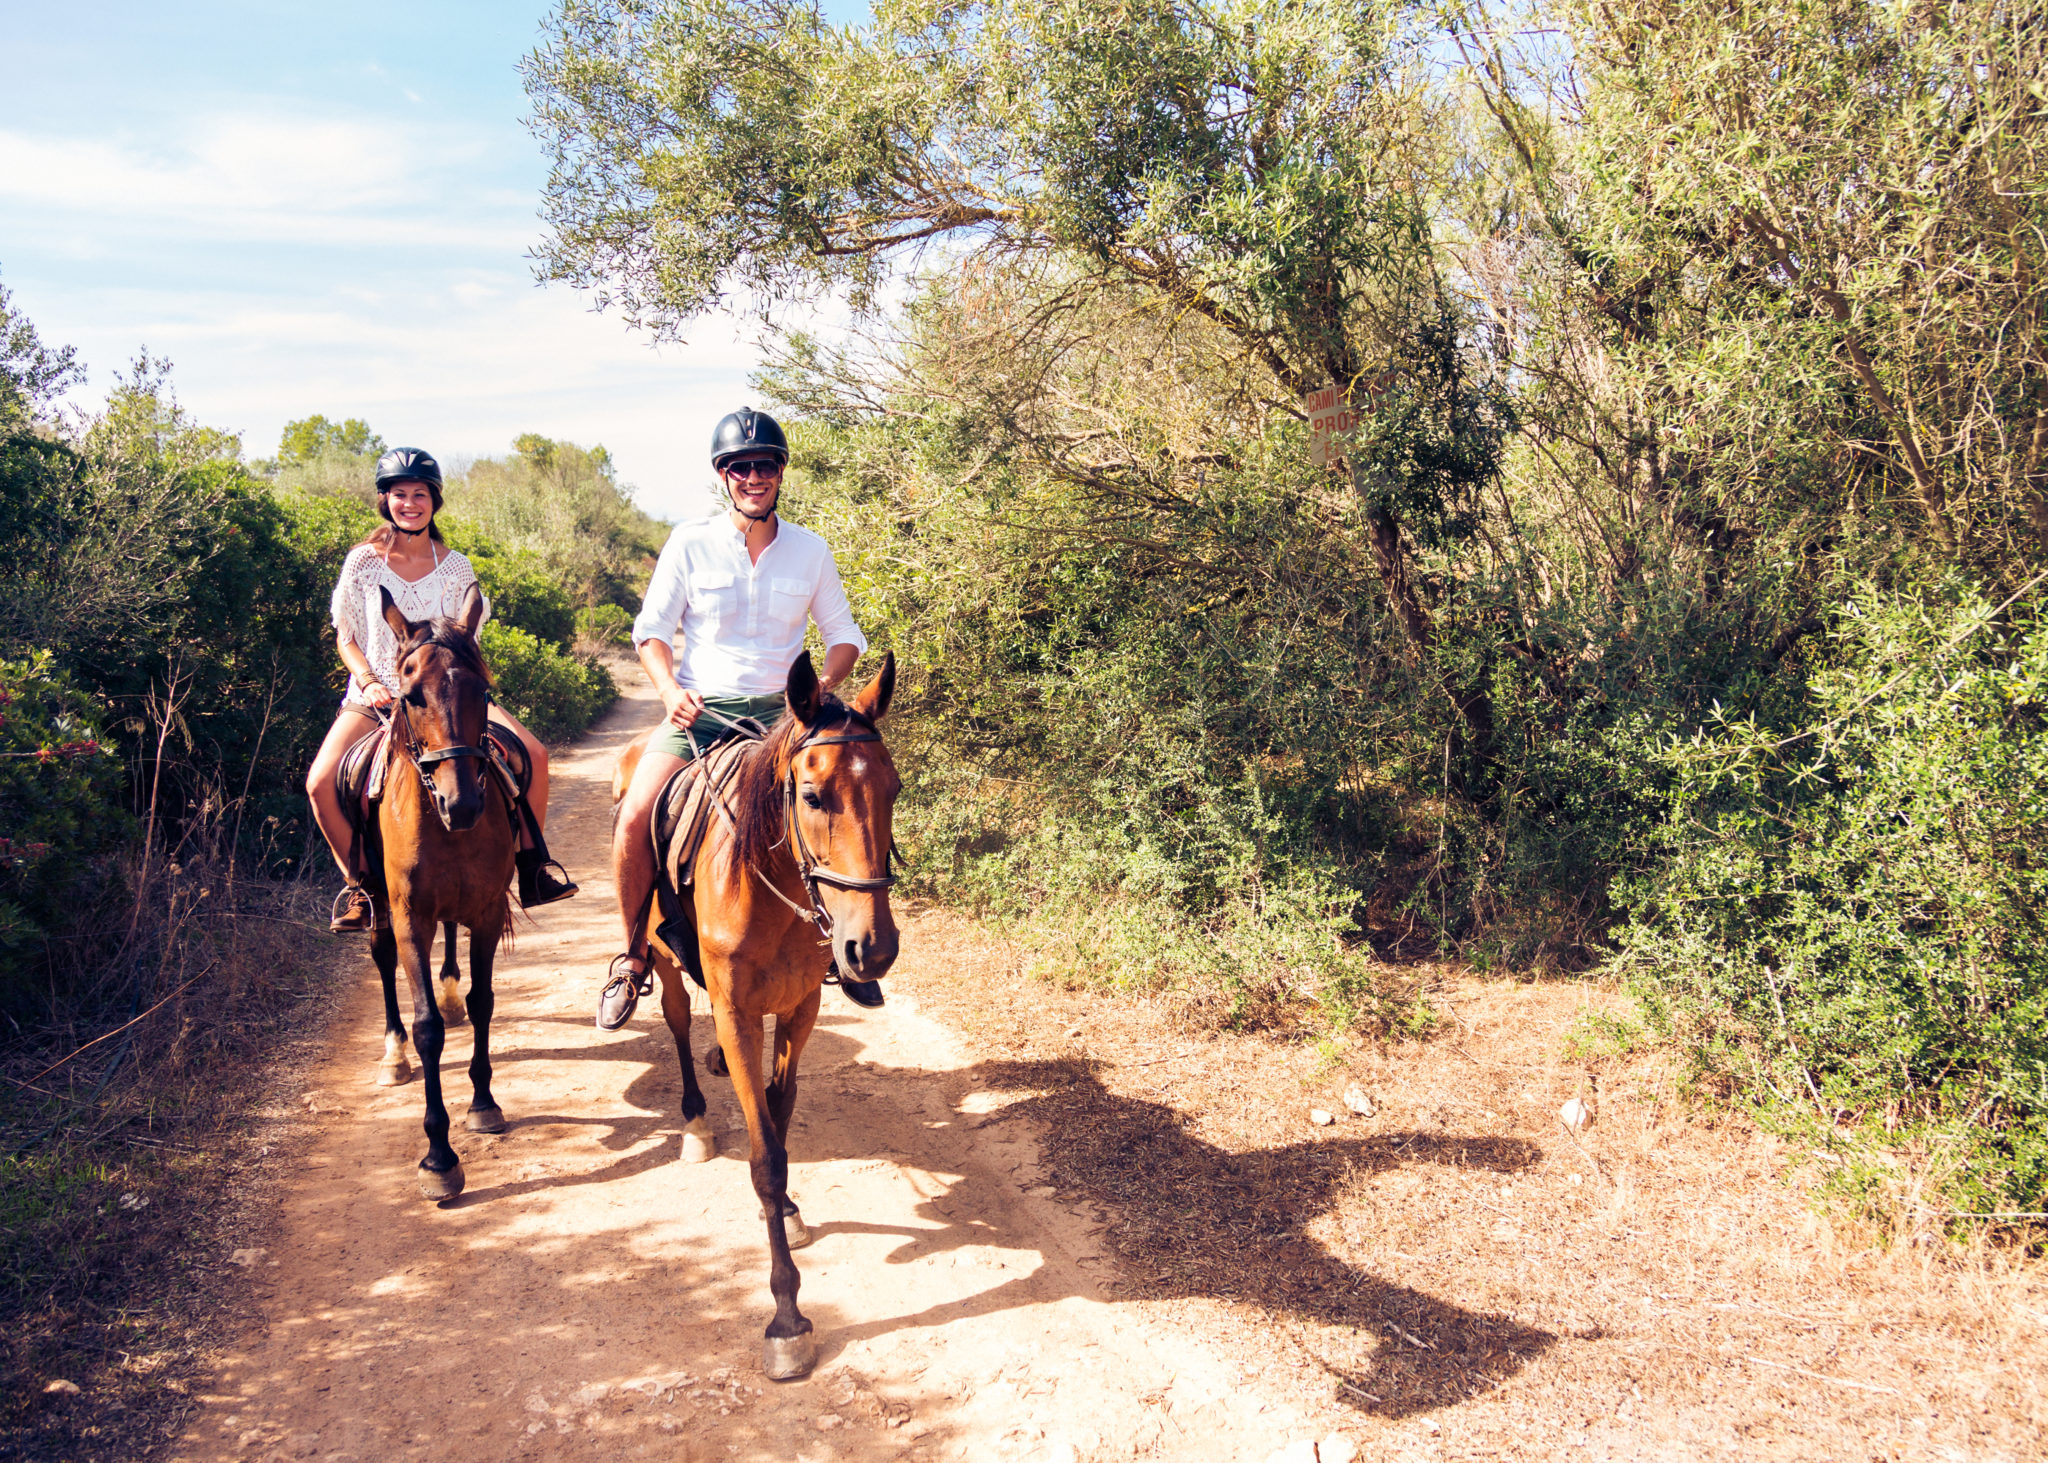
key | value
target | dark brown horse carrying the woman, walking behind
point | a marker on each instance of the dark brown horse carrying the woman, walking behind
(443, 837)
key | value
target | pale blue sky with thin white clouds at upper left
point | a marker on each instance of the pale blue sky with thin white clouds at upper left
(329, 210)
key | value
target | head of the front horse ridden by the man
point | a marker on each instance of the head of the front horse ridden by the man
(841, 810)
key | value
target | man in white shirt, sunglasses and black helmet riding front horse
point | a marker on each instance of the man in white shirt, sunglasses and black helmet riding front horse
(740, 589)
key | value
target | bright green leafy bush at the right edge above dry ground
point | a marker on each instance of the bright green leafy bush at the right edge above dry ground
(1848, 921)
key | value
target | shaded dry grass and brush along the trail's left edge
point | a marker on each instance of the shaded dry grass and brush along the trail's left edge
(122, 1167)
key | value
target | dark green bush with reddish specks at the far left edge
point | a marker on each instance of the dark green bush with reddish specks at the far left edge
(60, 814)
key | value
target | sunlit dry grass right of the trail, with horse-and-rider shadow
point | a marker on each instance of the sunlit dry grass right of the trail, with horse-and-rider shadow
(1457, 1276)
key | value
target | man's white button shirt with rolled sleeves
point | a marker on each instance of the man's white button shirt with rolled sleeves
(742, 620)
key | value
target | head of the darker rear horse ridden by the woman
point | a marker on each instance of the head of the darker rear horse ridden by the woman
(443, 704)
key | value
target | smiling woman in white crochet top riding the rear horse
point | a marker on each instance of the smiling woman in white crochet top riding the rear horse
(411, 562)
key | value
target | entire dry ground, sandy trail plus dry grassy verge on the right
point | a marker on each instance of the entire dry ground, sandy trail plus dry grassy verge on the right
(1058, 1226)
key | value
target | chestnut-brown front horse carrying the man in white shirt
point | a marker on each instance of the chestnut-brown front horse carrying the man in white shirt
(800, 862)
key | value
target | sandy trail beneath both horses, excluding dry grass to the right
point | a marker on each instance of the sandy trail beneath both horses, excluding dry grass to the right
(591, 1296)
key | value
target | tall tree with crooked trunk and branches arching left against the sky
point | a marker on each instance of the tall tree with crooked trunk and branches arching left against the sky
(1267, 167)
